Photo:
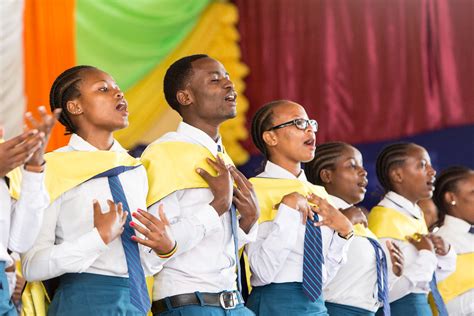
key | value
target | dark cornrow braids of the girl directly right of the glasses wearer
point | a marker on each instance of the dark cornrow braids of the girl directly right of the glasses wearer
(325, 157)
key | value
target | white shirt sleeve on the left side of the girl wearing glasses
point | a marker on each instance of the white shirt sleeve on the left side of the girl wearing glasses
(274, 243)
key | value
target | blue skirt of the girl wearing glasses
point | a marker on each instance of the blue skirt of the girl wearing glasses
(283, 299)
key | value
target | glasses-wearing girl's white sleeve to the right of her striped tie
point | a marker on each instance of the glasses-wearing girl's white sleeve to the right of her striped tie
(336, 254)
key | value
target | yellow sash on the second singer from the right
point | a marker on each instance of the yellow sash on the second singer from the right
(385, 222)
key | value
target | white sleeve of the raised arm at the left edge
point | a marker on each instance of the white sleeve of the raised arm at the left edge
(27, 212)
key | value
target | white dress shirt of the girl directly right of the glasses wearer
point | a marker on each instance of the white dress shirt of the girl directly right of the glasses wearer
(355, 284)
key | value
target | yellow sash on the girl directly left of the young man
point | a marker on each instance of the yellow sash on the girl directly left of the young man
(66, 170)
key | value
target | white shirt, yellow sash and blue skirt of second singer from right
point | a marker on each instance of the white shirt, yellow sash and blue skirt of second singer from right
(408, 294)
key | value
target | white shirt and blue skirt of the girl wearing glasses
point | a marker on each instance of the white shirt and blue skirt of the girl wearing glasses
(276, 259)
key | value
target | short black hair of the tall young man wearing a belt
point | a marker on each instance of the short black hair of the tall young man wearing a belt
(176, 76)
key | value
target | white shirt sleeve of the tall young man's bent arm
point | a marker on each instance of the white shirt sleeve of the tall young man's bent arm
(188, 231)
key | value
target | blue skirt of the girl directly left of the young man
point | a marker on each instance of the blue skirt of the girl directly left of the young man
(87, 294)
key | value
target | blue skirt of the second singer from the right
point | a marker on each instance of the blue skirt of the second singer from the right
(413, 304)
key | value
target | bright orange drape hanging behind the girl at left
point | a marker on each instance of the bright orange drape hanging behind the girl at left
(49, 40)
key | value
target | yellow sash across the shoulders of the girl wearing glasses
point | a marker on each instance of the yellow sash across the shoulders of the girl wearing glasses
(270, 192)
